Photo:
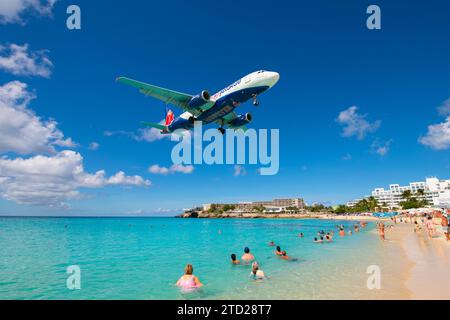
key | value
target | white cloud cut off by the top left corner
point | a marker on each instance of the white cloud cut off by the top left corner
(11, 11)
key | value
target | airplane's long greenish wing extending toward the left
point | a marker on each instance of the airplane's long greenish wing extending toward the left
(168, 96)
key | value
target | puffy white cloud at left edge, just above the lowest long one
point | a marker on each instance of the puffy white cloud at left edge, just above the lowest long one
(21, 130)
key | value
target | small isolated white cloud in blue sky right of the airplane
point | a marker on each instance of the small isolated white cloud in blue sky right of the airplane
(355, 124)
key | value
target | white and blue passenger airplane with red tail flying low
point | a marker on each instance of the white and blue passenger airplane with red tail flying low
(218, 108)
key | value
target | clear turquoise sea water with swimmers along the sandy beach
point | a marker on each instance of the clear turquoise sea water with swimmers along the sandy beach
(142, 258)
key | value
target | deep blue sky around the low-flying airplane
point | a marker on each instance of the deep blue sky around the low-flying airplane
(397, 77)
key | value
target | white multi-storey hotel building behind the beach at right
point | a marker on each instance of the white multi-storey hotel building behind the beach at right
(437, 192)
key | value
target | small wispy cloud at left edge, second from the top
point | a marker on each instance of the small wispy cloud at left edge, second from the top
(19, 61)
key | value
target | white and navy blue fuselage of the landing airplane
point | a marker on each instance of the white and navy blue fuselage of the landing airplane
(227, 99)
